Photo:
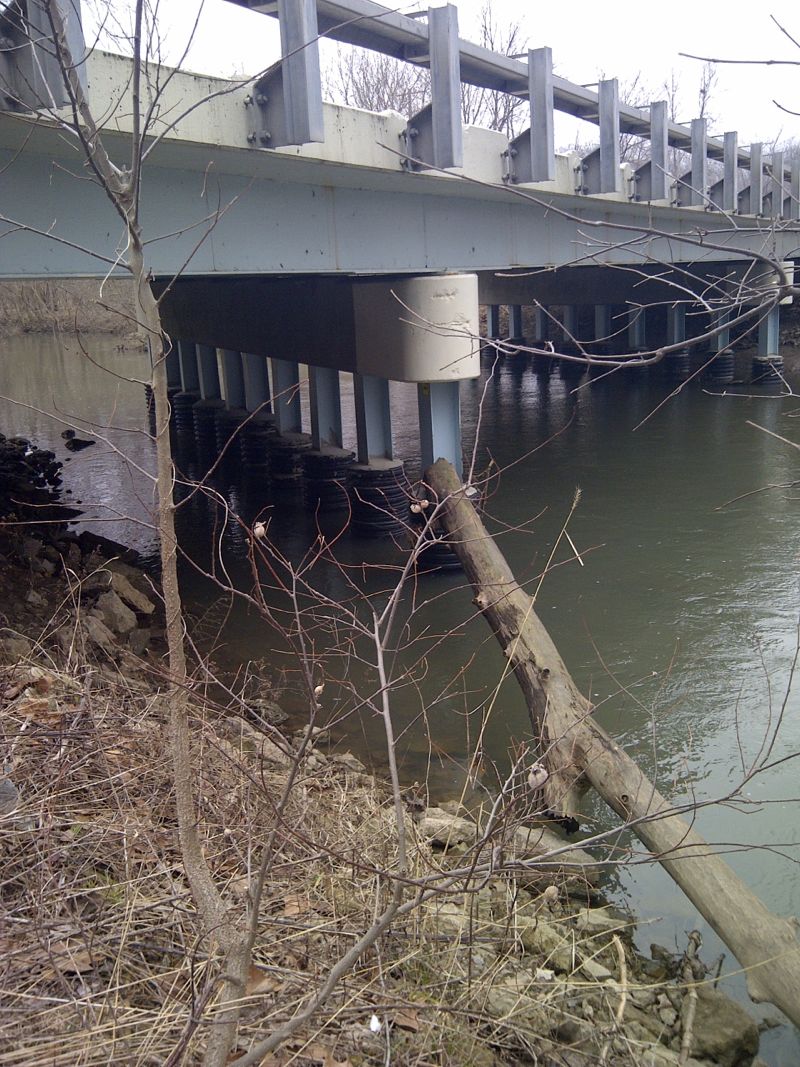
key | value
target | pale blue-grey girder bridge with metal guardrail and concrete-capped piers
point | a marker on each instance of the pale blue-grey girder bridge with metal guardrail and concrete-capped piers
(286, 231)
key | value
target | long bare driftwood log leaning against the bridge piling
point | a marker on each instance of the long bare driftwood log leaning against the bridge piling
(573, 745)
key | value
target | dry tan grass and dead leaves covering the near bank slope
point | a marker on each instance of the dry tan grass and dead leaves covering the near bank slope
(103, 961)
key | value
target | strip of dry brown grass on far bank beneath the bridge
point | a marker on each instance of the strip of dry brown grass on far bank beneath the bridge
(68, 306)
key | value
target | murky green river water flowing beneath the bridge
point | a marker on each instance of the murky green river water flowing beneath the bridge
(682, 623)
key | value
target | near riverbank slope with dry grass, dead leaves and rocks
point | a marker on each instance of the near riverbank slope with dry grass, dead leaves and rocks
(103, 957)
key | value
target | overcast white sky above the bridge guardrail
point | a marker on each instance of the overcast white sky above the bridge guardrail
(587, 40)
